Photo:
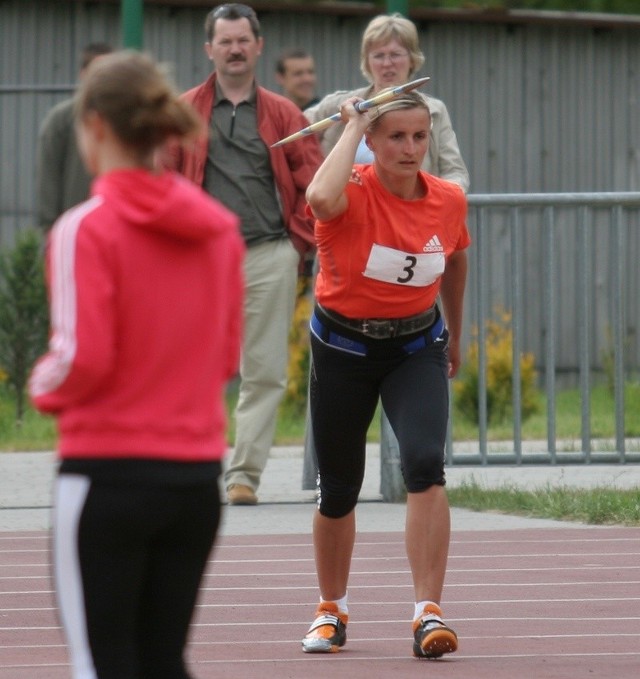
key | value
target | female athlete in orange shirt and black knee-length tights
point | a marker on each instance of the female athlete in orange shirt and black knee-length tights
(391, 238)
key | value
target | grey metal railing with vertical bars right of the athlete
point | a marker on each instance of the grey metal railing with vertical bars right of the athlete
(555, 212)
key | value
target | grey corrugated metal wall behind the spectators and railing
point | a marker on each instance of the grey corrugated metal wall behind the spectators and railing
(536, 108)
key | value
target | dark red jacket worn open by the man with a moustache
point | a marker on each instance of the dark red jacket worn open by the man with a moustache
(293, 164)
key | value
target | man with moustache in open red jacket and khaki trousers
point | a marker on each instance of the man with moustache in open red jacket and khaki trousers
(265, 187)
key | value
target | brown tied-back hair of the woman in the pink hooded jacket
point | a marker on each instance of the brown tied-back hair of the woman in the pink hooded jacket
(134, 95)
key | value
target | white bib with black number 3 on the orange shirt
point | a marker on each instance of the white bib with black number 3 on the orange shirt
(402, 268)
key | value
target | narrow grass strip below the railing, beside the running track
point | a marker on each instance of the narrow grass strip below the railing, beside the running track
(600, 506)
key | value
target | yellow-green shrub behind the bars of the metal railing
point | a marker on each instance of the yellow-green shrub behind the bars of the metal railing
(499, 378)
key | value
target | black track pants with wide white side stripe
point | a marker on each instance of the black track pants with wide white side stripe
(128, 563)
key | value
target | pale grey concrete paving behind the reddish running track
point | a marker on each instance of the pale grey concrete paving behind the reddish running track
(26, 483)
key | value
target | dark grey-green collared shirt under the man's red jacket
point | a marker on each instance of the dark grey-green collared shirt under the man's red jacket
(238, 170)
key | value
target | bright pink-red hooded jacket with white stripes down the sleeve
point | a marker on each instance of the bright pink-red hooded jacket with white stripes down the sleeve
(146, 291)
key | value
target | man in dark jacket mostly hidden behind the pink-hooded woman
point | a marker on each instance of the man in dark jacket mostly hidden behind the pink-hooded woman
(61, 178)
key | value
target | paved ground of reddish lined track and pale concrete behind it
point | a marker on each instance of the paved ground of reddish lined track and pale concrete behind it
(528, 597)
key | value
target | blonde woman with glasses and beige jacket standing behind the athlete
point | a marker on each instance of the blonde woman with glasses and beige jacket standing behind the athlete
(390, 55)
